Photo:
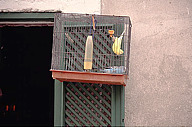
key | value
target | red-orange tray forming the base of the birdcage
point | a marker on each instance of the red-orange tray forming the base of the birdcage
(89, 77)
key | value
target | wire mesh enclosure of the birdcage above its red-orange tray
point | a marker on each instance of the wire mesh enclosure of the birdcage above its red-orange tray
(69, 41)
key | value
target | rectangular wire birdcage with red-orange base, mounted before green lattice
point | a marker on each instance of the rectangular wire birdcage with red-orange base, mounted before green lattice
(91, 48)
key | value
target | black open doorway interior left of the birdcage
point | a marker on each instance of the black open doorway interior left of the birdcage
(25, 79)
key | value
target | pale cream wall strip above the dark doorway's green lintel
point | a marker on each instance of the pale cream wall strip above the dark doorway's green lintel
(67, 6)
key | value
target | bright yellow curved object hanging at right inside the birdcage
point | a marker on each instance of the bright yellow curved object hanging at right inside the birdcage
(117, 45)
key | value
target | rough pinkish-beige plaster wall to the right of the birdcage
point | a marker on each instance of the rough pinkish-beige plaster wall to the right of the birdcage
(160, 87)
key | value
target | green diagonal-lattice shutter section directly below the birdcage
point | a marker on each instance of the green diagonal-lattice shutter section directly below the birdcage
(78, 104)
